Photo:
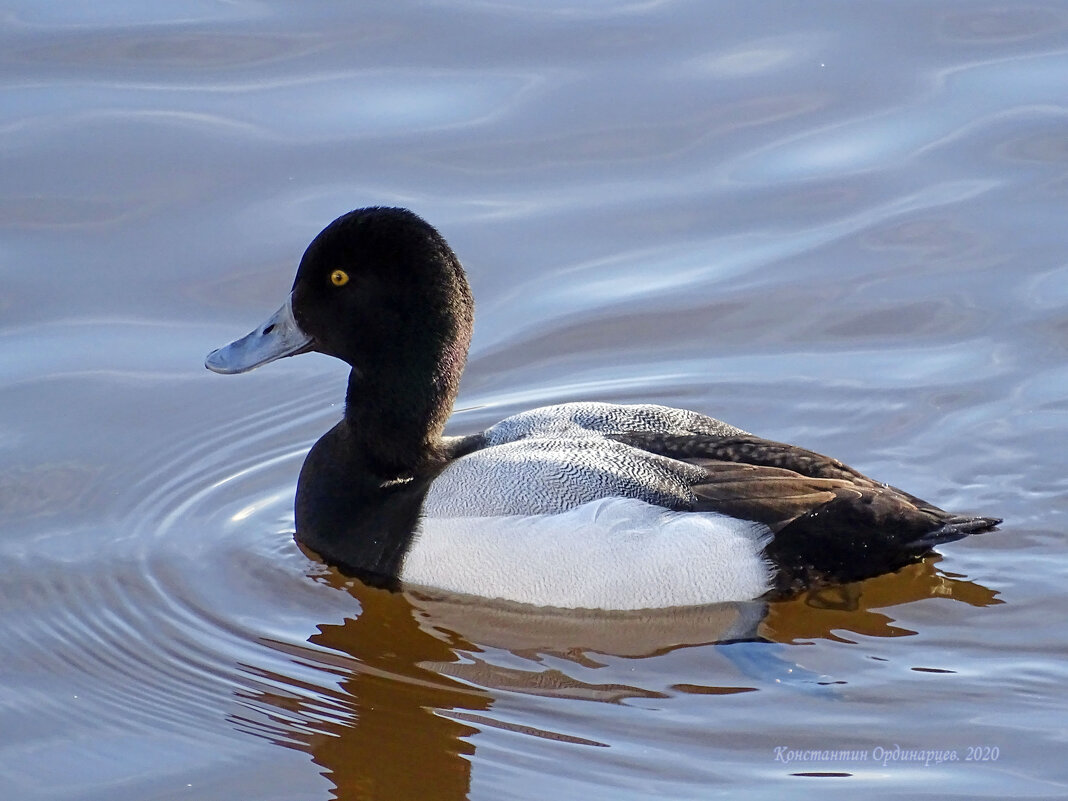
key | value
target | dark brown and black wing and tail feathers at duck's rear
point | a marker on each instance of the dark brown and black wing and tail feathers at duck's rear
(830, 522)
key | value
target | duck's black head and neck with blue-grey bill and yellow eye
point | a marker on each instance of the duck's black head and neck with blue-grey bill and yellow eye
(383, 291)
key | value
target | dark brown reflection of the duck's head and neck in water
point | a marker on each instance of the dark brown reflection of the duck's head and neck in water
(385, 732)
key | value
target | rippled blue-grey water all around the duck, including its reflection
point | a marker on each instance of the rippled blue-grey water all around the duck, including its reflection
(835, 225)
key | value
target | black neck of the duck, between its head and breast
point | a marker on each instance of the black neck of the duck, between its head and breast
(397, 412)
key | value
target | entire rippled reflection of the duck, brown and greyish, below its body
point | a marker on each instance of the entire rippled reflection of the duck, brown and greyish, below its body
(418, 673)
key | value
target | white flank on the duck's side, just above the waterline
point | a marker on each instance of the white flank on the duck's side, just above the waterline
(611, 554)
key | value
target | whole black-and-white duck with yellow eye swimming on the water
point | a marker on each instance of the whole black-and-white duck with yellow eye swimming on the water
(576, 506)
